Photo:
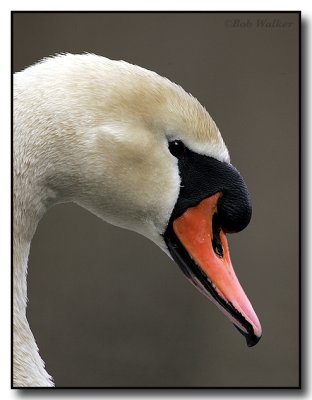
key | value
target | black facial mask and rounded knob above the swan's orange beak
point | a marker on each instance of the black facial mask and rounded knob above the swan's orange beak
(203, 176)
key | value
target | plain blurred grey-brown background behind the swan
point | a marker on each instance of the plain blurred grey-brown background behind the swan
(106, 306)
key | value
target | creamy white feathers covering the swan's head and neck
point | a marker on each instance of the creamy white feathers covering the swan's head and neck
(95, 131)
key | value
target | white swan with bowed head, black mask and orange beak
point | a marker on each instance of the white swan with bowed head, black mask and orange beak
(137, 151)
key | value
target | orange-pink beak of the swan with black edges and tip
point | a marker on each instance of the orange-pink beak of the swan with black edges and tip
(203, 254)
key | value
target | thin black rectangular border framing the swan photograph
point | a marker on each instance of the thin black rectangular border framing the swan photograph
(241, 391)
